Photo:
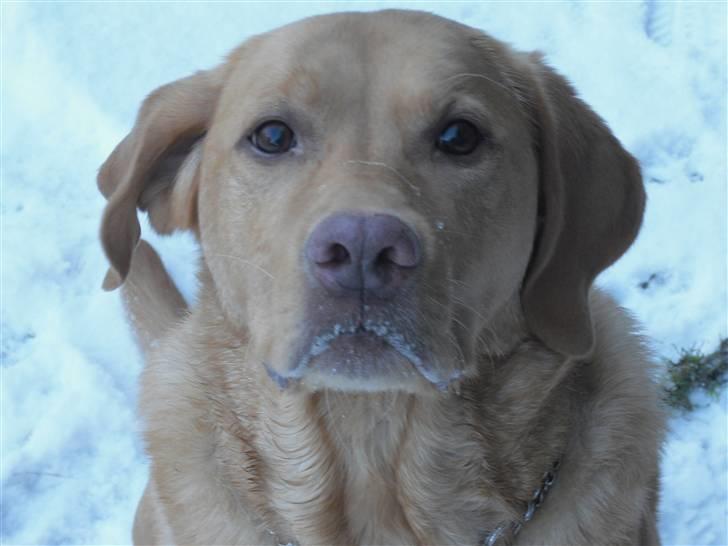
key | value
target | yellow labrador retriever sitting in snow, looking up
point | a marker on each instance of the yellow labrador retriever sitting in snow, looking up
(396, 339)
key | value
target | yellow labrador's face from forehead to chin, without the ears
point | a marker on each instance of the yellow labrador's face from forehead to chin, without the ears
(368, 193)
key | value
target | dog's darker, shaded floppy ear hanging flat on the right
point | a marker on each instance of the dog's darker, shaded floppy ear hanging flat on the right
(590, 210)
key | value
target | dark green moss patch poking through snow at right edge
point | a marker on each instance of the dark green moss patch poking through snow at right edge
(694, 371)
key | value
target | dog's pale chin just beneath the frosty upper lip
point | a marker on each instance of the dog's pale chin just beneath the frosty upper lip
(361, 361)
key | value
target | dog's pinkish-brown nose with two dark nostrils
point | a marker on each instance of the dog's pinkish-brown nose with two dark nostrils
(370, 254)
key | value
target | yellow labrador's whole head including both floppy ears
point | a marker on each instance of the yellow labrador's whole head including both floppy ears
(381, 197)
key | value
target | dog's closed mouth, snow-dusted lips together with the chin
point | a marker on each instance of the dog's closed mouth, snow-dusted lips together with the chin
(362, 356)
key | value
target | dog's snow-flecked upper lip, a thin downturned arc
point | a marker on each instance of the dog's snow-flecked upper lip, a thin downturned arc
(381, 330)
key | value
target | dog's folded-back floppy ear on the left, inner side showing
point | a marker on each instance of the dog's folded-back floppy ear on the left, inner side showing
(155, 168)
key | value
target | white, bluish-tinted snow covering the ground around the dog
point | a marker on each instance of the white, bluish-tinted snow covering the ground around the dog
(73, 75)
